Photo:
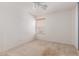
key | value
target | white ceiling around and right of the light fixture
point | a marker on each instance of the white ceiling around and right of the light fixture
(56, 6)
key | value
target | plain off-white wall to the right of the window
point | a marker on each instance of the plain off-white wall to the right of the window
(59, 28)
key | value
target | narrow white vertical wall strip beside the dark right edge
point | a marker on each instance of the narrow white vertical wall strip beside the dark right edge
(75, 26)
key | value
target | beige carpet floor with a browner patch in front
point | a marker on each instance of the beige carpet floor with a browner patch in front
(42, 48)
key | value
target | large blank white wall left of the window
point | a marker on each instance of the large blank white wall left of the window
(16, 26)
